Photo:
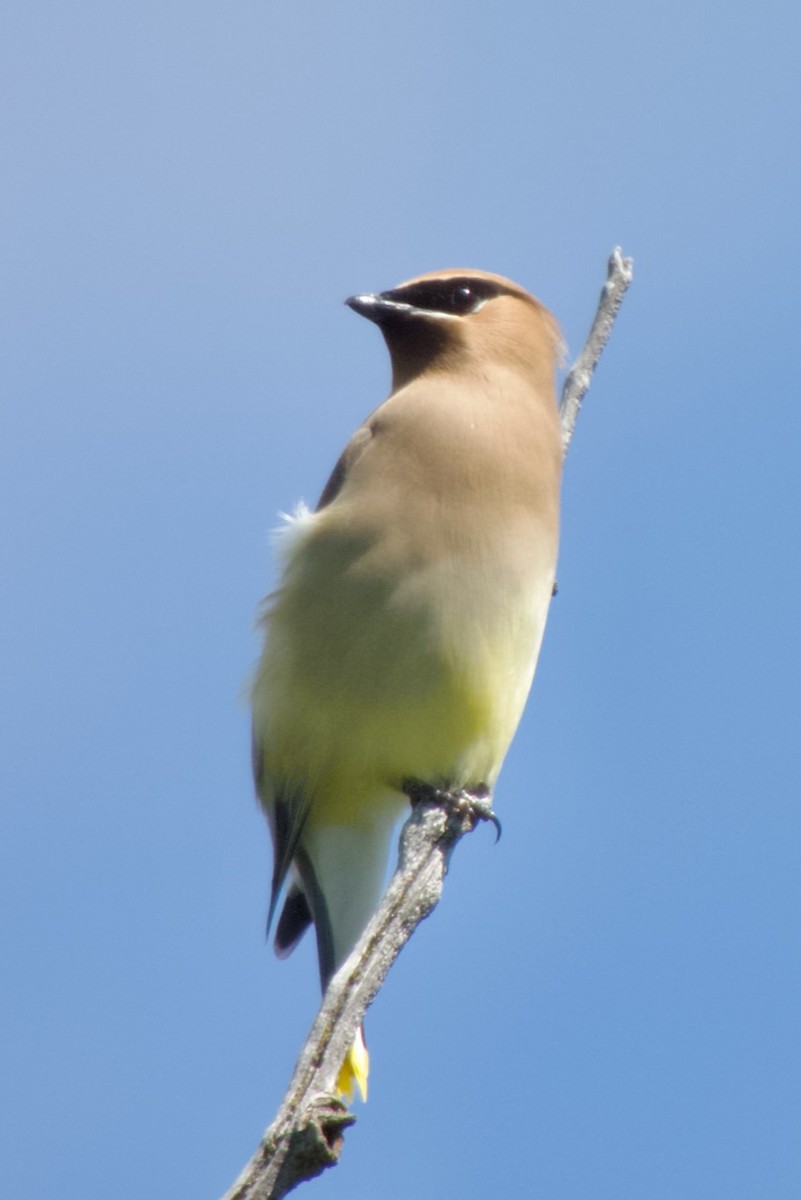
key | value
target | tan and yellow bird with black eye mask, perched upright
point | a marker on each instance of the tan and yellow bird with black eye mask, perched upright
(402, 639)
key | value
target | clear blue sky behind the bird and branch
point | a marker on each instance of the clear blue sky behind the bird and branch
(607, 1003)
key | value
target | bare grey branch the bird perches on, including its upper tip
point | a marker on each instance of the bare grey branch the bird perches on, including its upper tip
(309, 1131)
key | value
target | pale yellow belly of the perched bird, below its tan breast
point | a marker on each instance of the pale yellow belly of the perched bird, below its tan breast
(368, 682)
